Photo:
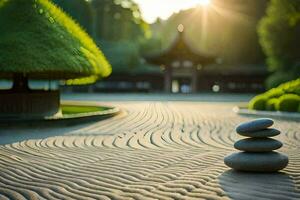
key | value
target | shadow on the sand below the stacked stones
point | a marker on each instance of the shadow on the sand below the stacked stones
(249, 186)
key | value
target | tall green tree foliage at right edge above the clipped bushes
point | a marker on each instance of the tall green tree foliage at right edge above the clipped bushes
(279, 34)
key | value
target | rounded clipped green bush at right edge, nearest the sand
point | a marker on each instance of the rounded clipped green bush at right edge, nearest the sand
(288, 103)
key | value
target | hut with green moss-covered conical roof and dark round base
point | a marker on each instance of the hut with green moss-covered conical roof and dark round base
(39, 41)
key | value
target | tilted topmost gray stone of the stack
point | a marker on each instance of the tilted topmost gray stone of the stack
(254, 125)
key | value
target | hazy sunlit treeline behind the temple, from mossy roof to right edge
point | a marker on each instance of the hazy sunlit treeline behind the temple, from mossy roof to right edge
(228, 29)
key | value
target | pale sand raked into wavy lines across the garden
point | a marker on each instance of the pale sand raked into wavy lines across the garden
(153, 150)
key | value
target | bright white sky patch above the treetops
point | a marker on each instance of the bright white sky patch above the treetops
(151, 9)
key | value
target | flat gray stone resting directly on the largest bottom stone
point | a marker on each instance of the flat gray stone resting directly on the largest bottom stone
(258, 144)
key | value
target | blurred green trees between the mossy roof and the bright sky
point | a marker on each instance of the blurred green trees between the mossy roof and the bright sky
(119, 30)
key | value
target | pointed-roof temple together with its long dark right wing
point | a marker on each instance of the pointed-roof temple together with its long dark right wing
(189, 71)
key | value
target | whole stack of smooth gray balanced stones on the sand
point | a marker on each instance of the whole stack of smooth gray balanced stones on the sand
(258, 153)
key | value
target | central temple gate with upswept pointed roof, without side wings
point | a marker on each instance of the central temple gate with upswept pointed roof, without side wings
(180, 64)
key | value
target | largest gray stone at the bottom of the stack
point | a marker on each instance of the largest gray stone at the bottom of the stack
(257, 162)
